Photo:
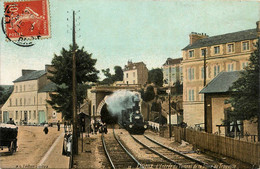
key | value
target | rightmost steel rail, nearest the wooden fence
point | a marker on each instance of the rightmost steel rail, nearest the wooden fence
(181, 154)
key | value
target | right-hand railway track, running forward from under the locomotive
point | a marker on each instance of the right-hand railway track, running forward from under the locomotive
(176, 158)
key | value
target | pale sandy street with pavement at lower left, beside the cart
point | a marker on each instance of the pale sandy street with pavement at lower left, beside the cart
(36, 149)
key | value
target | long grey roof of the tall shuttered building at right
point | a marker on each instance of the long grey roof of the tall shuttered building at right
(225, 38)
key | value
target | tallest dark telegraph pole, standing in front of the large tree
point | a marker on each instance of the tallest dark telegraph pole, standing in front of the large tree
(74, 95)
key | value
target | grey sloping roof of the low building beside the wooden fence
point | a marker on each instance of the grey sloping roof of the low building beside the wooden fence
(222, 82)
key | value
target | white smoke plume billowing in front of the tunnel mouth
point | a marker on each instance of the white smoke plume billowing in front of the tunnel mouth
(121, 100)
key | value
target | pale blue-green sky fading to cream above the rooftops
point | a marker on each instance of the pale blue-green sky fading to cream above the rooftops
(116, 31)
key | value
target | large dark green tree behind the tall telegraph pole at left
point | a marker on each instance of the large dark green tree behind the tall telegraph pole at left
(61, 100)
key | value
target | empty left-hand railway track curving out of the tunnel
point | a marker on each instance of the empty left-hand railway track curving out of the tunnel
(118, 156)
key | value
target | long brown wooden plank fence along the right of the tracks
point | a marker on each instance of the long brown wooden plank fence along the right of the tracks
(245, 151)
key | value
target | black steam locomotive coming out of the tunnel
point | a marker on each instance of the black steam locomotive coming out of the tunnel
(132, 119)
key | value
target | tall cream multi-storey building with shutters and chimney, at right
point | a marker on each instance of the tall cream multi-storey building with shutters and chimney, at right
(227, 52)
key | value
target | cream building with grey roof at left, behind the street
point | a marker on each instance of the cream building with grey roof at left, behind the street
(27, 103)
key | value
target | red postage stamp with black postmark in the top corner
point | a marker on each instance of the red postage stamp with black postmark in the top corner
(27, 20)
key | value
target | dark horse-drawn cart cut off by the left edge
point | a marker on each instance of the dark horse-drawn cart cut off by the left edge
(8, 137)
